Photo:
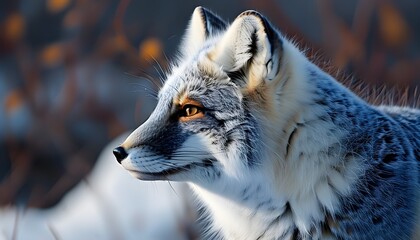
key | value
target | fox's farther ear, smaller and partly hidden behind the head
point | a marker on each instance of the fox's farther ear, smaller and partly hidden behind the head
(203, 24)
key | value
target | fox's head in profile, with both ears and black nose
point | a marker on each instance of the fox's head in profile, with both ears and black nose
(217, 106)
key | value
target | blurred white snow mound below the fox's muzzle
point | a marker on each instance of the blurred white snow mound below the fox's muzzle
(110, 204)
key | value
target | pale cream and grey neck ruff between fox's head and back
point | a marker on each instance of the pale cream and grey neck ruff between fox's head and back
(304, 171)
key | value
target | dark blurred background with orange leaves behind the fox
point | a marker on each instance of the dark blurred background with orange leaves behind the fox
(75, 74)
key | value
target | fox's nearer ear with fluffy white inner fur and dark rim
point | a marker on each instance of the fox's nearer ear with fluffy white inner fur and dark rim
(251, 44)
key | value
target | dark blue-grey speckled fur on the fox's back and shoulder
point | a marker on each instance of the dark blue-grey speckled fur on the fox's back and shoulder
(383, 204)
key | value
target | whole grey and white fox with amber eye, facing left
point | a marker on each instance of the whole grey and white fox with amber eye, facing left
(273, 147)
